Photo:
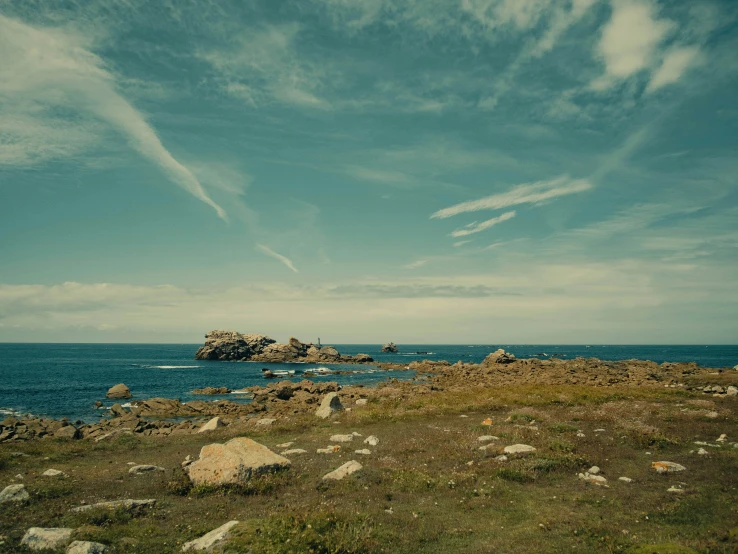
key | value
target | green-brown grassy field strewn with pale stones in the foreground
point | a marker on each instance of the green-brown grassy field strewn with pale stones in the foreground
(426, 487)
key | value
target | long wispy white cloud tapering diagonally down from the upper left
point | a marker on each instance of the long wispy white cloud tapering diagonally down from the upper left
(48, 68)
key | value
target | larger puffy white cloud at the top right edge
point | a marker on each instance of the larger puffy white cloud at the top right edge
(630, 40)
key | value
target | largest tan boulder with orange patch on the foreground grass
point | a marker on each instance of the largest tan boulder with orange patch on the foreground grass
(234, 462)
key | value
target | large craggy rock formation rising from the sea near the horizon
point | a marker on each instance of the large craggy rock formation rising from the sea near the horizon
(230, 345)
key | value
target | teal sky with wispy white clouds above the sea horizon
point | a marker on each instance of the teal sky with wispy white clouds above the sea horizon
(421, 171)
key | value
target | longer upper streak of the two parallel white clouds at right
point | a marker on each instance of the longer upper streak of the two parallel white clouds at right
(532, 193)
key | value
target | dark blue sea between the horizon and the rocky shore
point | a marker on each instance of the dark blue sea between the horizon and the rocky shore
(64, 380)
